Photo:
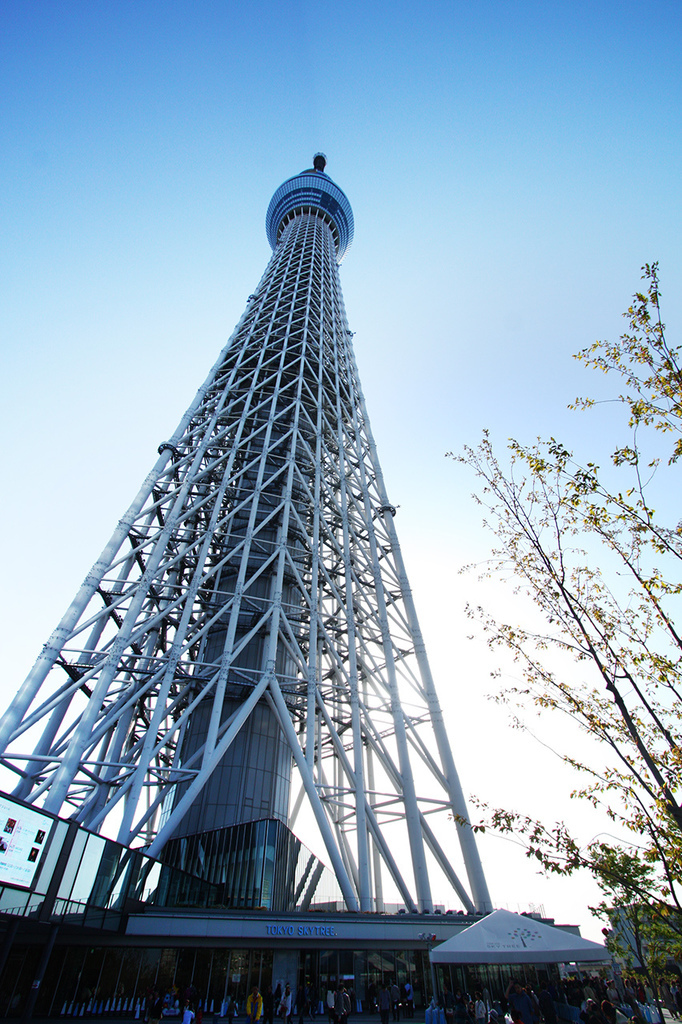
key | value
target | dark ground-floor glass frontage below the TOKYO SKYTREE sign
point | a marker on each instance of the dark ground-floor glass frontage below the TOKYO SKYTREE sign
(101, 982)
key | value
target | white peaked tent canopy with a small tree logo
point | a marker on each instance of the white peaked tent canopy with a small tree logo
(503, 937)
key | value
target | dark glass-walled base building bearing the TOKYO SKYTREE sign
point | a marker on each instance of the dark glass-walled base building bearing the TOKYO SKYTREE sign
(96, 890)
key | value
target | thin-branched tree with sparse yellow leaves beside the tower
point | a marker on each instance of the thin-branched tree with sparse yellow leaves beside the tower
(587, 545)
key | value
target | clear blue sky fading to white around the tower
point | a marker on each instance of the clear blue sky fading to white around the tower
(510, 167)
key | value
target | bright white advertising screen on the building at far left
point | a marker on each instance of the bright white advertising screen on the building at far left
(24, 835)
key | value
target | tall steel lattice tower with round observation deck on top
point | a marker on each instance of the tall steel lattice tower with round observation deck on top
(247, 643)
